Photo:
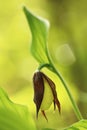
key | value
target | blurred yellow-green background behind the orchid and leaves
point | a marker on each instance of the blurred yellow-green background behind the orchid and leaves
(67, 45)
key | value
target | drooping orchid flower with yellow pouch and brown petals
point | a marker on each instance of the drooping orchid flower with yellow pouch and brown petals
(44, 93)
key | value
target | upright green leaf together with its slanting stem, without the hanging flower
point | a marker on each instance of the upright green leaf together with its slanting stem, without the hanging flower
(40, 51)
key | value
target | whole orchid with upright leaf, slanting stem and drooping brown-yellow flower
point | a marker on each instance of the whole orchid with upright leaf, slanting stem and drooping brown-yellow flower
(43, 85)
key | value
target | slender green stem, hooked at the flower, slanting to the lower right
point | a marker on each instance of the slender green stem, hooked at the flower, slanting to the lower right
(75, 107)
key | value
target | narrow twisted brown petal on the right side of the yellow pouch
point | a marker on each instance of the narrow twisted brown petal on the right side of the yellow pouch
(52, 85)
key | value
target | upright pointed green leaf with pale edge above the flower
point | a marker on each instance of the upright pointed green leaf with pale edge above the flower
(39, 29)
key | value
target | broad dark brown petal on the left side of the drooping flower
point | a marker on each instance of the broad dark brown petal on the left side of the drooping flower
(38, 90)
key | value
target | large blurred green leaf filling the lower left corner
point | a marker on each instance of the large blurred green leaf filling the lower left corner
(13, 116)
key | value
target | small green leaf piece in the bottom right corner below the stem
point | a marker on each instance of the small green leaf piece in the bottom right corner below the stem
(81, 125)
